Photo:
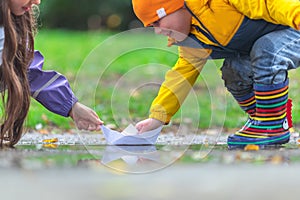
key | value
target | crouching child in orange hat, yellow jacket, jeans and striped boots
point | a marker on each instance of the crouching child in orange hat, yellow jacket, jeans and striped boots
(257, 39)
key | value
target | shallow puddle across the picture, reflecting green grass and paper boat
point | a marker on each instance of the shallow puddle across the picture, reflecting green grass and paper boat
(139, 159)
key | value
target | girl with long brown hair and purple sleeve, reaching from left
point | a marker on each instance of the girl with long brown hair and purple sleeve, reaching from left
(21, 76)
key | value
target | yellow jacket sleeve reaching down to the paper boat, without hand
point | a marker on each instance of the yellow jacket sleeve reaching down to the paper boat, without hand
(178, 83)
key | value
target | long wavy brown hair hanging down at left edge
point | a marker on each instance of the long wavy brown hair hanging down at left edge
(17, 55)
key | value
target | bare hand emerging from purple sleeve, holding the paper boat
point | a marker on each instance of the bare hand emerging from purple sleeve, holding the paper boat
(85, 118)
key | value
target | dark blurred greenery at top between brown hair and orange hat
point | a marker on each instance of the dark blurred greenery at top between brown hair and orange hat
(113, 15)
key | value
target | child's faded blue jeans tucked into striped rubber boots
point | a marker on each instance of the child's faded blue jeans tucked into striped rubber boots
(270, 58)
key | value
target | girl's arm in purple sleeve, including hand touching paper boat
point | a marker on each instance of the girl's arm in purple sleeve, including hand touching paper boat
(53, 91)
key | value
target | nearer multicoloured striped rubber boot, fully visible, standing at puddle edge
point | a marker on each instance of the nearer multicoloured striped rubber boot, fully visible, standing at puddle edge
(269, 125)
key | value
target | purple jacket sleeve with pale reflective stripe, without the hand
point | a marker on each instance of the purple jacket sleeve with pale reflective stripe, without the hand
(50, 88)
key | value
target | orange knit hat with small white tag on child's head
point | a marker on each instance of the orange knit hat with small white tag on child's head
(149, 11)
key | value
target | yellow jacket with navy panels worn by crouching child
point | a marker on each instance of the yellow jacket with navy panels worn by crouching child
(222, 20)
